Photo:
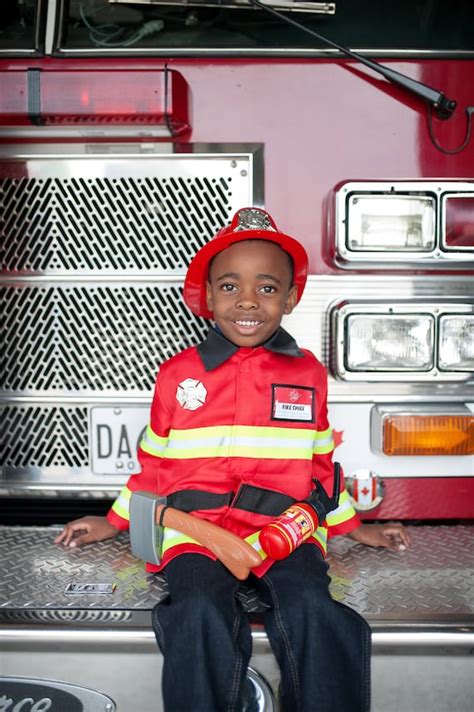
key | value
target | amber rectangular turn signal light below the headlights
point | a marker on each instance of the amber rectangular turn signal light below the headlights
(428, 434)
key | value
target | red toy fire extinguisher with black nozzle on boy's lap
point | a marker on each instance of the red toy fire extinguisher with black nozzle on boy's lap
(282, 536)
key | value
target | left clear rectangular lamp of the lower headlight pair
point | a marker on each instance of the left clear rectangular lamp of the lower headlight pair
(389, 343)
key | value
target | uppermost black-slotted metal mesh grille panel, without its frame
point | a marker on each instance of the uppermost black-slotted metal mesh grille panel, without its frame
(85, 224)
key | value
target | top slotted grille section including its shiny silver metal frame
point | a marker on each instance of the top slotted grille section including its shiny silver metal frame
(116, 212)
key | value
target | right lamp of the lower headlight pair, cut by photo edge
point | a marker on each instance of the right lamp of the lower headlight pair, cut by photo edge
(456, 343)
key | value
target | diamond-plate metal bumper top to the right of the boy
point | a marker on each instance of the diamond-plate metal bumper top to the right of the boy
(431, 581)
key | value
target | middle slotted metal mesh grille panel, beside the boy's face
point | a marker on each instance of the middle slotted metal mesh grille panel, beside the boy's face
(89, 338)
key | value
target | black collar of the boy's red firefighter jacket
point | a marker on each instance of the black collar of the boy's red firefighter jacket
(216, 349)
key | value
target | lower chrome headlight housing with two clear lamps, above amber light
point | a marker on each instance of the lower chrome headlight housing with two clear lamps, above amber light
(411, 340)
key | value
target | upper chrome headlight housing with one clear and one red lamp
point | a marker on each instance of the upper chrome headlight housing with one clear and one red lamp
(404, 224)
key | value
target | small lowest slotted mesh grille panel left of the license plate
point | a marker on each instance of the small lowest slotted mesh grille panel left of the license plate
(44, 436)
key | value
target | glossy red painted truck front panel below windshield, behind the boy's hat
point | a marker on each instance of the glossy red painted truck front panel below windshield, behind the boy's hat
(322, 121)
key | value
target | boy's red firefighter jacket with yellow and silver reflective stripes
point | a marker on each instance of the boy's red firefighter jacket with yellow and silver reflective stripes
(224, 416)
